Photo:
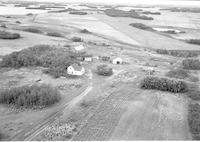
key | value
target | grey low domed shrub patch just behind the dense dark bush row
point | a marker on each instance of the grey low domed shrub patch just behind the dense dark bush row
(178, 73)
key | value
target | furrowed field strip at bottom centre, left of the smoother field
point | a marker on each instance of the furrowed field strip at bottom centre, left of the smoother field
(103, 122)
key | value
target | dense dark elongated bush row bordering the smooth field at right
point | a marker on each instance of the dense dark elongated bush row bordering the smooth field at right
(164, 84)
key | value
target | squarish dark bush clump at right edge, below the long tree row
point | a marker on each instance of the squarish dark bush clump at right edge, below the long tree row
(191, 64)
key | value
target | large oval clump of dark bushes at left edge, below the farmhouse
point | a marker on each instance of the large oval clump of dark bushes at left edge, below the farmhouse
(30, 96)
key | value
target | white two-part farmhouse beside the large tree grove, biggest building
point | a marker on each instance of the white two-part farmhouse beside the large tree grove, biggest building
(75, 69)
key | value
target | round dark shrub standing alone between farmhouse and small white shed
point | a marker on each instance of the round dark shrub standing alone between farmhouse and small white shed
(104, 70)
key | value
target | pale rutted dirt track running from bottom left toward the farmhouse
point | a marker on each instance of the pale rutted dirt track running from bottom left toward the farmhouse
(31, 132)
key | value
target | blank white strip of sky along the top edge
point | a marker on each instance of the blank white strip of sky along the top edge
(148, 2)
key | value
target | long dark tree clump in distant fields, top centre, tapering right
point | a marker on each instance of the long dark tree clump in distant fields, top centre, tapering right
(120, 13)
